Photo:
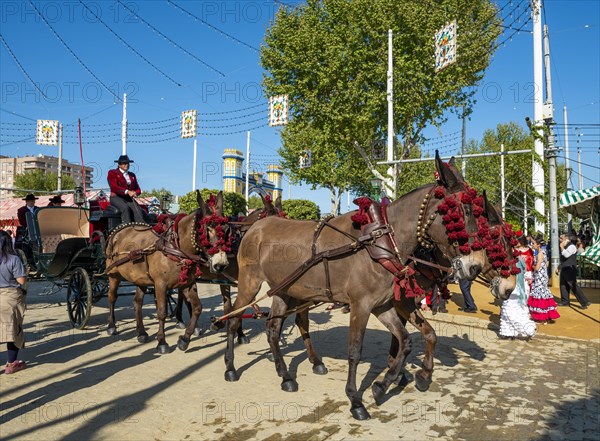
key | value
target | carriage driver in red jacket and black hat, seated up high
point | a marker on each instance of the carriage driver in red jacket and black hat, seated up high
(124, 188)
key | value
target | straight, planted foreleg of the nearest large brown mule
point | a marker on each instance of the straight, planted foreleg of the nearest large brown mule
(359, 316)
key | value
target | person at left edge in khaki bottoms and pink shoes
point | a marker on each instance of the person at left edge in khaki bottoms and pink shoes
(12, 303)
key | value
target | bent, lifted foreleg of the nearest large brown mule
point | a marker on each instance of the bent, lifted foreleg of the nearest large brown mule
(387, 315)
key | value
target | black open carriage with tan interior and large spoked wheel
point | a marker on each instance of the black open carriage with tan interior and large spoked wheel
(65, 246)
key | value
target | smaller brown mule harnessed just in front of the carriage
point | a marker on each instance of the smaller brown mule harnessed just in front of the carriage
(171, 260)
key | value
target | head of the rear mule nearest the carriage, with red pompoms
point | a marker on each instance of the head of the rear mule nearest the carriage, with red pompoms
(212, 232)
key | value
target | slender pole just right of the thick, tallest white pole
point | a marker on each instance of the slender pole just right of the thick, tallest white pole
(551, 154)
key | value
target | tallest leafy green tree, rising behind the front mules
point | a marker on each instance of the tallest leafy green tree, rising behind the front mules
(330, 58)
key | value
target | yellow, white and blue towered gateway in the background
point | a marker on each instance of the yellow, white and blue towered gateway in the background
(234, 177)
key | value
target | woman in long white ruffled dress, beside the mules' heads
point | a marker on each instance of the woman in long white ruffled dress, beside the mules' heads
(514, 314)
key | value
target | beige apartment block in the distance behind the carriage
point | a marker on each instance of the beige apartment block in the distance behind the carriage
(10, 167)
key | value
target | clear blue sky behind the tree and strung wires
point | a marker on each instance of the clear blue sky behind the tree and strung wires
(222, 81)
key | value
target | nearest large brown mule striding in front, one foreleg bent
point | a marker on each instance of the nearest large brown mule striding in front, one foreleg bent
(359, 280)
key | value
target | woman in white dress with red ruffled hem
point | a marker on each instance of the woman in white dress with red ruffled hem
(542, 306)
